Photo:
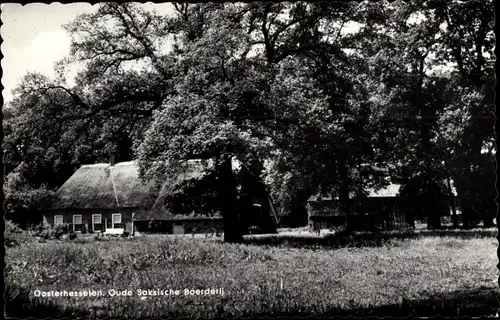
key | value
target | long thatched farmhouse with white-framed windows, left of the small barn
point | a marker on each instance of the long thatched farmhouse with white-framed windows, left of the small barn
(110, 198)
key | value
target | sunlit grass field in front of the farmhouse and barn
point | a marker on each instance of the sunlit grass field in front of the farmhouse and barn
(423, 275)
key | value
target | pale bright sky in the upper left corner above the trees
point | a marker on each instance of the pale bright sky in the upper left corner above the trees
(33, 37)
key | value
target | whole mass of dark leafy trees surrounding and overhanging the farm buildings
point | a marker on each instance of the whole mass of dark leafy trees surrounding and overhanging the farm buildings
(311, 97)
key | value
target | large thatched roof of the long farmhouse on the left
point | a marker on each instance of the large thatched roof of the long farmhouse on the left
(102, 186)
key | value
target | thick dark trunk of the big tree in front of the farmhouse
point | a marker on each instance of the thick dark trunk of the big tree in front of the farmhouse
(230, 213)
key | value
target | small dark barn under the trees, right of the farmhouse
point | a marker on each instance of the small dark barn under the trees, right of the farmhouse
(381, 209)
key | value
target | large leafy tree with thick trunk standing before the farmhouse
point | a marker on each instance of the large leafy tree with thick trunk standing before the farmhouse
(242, 102)
